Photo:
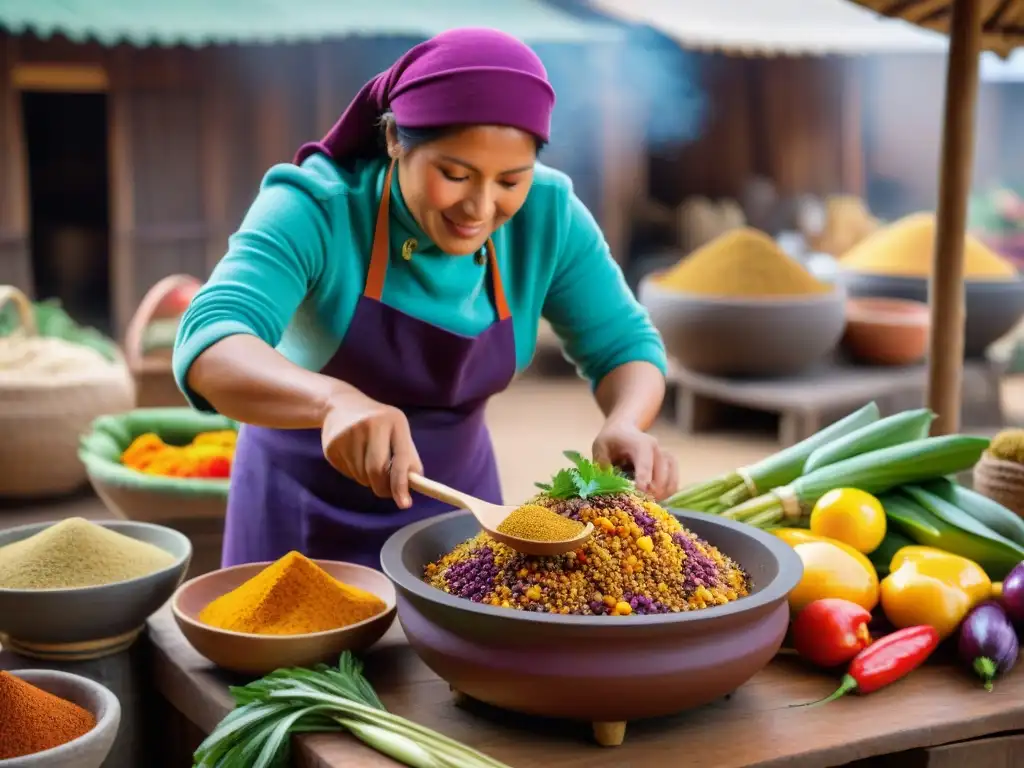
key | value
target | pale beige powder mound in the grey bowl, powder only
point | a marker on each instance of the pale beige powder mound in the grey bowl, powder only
(77, 553)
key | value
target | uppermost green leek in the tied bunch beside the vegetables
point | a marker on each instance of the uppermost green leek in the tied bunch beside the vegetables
(779, 470)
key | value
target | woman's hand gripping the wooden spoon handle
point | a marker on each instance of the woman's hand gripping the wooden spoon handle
(372, 444)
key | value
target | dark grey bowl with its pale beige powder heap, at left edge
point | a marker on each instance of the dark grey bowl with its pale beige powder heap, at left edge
(78, 589)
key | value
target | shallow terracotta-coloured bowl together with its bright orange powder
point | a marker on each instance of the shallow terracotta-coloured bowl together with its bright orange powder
(259, 618)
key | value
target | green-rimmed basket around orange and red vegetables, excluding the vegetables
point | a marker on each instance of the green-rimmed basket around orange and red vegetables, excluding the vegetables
(195, 507)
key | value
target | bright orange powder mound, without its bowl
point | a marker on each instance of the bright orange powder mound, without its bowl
(292, 596)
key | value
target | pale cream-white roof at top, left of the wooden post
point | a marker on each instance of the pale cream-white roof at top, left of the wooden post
(777, 27)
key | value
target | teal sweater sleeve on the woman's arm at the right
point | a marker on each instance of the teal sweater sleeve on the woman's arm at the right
(591, 308)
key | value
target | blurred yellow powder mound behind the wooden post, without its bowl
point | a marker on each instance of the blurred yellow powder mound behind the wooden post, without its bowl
(906, 248)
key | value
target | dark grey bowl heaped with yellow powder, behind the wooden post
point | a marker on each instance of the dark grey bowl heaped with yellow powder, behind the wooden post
(897, 263)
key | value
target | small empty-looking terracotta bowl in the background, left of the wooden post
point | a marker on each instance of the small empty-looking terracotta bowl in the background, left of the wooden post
(887, 332)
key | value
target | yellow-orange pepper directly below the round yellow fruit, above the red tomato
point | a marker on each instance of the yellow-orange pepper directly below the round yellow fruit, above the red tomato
(832, 570)
